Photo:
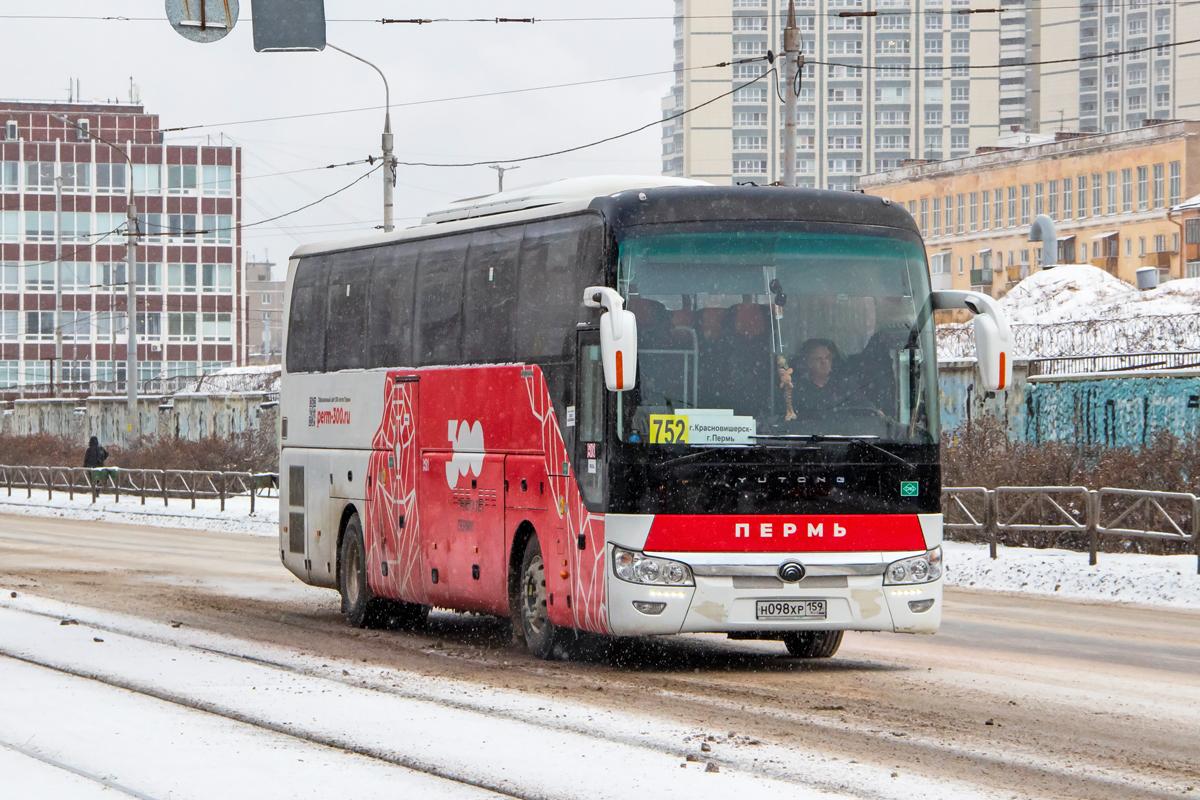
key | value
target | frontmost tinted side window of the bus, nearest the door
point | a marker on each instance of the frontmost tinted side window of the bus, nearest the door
(553, 280)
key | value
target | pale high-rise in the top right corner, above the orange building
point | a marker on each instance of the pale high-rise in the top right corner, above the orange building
(1121, 92)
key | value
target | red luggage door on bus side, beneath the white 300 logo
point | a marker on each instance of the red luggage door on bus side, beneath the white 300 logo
(463, 531)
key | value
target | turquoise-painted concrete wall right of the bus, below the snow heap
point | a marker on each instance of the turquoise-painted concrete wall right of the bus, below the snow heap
(1121, 411)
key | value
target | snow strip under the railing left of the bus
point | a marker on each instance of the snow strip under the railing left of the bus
(177, 514)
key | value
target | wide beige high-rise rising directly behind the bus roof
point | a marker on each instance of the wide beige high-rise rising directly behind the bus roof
(896, 87)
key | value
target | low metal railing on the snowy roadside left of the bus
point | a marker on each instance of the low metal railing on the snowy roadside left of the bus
(142, 484)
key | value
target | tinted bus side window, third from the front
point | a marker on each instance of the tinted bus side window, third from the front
(440, 275)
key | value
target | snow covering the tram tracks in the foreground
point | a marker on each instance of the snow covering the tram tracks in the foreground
(151, 738)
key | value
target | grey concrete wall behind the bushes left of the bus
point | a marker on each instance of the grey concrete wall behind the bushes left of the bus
(185, 417)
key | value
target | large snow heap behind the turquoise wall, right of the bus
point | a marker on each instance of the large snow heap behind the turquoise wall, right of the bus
(1082, 310)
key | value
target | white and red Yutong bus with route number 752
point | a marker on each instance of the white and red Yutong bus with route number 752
(625, 407)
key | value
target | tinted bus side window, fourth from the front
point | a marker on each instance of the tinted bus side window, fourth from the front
(393, 280)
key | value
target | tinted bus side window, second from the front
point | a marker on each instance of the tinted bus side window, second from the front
(491, 298)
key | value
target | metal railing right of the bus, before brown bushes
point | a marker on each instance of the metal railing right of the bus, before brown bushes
(1054, 510)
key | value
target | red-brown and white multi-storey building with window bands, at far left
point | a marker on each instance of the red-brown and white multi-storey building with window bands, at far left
(189, 282)
